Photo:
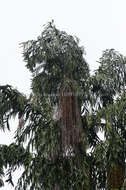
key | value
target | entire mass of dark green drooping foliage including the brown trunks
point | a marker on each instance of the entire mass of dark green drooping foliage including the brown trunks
(55, 132)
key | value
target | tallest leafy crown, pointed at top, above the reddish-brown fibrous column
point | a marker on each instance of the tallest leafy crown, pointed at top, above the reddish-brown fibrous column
(52, 57)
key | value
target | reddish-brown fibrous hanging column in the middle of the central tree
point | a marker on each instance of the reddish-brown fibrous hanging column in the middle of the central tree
(71, 126)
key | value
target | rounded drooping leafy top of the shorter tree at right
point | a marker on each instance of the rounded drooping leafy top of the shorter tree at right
(109, 80)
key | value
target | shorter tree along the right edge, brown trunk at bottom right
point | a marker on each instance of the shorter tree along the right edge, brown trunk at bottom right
(109, 86)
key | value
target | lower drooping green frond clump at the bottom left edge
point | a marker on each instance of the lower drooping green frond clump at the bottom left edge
(12, 157)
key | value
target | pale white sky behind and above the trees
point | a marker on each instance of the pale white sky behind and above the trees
(99, 24)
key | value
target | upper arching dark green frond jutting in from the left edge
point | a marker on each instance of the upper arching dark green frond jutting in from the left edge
(12, 103)
